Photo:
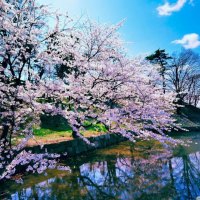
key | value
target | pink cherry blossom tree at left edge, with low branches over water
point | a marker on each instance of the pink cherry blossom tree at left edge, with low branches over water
(27, 89)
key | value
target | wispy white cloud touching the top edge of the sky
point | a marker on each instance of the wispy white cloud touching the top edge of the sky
(167, 9)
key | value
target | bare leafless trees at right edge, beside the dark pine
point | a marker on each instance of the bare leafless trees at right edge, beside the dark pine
(184, 75)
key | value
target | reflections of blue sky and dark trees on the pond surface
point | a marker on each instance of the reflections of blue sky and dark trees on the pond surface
(153, 176)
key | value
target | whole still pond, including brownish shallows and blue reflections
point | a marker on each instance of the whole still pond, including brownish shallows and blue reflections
(126, 171)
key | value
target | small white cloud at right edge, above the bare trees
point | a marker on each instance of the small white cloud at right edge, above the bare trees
(189, 41)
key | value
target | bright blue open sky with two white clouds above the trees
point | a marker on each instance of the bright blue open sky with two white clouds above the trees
(149, 24)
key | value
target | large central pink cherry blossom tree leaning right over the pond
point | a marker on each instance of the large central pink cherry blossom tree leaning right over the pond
(117, 91)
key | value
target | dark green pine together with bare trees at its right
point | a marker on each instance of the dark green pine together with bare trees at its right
(180, 73)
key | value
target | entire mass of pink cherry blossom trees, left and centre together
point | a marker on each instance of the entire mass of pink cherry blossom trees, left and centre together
(81, 73)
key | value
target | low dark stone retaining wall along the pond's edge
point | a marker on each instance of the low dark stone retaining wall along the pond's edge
(78, 146)
